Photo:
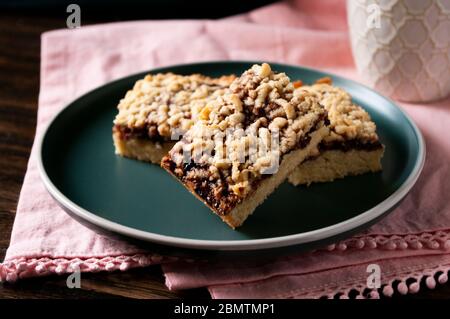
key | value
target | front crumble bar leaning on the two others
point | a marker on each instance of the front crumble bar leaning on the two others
(258, 101)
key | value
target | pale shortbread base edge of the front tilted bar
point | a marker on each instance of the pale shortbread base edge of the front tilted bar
(290, 161)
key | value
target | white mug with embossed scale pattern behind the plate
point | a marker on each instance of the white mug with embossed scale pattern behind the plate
(402, 47)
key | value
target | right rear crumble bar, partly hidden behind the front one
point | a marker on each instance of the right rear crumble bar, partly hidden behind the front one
(351, 148)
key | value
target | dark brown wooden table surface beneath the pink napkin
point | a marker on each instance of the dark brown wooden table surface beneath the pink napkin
(19, 88)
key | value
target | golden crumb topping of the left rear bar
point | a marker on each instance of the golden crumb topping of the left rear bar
(160, 103)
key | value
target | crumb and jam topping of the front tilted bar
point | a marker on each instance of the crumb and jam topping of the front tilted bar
(260, 103)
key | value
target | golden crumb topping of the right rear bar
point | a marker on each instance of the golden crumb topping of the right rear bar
(348, 121)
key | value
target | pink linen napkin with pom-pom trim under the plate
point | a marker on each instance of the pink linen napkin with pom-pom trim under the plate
(409, 245)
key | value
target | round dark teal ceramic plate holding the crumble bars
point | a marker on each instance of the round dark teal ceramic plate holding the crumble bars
(141, 201)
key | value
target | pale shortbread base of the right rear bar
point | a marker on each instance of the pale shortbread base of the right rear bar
(334, 164)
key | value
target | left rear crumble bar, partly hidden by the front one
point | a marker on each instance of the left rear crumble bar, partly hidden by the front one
(156, 107)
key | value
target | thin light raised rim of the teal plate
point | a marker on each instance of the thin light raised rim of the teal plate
(247, 244)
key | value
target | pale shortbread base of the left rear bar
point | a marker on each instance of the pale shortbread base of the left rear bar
(140, 149)
